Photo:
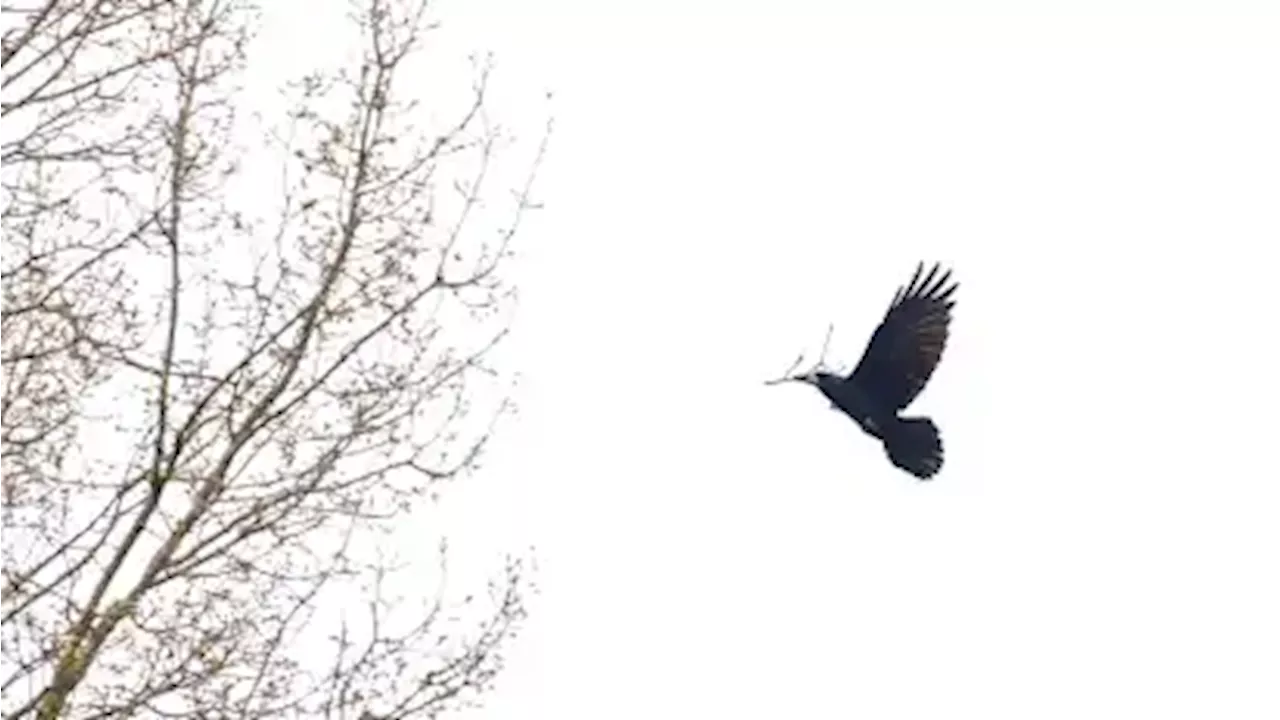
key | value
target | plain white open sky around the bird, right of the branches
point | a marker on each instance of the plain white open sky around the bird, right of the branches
(723, 184)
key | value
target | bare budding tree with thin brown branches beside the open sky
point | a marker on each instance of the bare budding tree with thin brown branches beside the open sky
(216, 416)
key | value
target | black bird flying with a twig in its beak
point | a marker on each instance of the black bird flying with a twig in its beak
(895, 367)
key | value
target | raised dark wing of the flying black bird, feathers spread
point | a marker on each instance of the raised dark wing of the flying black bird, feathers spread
(909, 341)
